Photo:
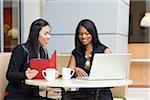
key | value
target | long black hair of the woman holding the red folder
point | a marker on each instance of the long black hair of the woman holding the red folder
(35, 28)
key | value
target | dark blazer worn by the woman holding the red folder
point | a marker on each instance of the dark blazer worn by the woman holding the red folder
(17, 67)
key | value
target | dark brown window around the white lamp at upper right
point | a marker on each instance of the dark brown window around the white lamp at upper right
(138, 34)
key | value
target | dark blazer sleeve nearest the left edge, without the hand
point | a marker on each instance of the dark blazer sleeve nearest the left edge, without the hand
(17, 61)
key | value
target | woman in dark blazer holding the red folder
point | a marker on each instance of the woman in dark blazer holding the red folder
(19, 70)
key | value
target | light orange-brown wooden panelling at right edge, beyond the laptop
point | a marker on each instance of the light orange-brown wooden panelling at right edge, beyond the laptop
(140, 71)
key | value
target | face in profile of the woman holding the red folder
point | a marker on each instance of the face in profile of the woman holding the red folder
(44, 35)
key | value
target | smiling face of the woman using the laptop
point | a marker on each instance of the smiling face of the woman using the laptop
(84, 36)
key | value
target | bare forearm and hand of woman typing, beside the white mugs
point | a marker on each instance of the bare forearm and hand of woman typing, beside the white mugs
(78, 71)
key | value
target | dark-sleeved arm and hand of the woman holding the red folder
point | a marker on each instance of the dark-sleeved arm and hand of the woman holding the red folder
(17, 71)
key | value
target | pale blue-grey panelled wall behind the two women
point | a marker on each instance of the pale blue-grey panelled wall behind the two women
(110, 17)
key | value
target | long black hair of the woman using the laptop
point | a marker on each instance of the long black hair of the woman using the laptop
(91, 28)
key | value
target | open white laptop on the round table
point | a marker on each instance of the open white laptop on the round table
(109, 67)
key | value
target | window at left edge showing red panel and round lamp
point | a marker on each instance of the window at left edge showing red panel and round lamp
(11, 24)
